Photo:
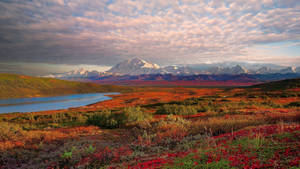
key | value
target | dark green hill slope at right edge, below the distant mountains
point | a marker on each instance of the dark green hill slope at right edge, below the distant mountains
(279, 85)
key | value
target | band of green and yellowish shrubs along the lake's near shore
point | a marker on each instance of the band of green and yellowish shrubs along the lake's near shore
(108, 119)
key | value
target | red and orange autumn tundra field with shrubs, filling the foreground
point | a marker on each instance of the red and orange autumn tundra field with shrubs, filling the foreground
(162, 127)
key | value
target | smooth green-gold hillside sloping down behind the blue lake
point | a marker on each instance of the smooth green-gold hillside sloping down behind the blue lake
(14, 86)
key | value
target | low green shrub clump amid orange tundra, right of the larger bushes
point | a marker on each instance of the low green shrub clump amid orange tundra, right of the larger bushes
(177, 110)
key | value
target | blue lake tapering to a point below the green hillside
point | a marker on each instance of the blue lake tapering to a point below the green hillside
(50, 103)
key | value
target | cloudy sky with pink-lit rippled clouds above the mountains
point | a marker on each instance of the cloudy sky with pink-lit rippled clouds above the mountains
(47, 36)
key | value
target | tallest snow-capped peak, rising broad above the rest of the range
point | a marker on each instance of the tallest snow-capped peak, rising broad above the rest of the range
(135, 66)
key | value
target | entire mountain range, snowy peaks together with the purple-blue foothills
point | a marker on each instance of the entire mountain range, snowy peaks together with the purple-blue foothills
(136, 70)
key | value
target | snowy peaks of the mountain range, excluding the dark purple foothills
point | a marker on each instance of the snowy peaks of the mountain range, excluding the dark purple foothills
(136, 66)
